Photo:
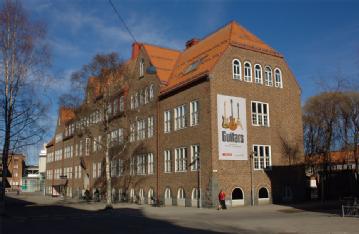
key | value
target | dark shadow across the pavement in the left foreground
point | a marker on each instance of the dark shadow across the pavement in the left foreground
(25, 217)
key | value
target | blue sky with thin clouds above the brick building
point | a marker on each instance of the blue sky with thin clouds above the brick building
(319, 39)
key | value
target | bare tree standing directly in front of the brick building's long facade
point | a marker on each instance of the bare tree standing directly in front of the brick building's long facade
(105, 105)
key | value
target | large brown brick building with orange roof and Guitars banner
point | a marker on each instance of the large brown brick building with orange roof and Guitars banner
(210, 117)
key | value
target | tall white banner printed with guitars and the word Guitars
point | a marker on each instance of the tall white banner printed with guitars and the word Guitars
(232, 128)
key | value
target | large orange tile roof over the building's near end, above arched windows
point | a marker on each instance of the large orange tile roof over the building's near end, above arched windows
(175, 68)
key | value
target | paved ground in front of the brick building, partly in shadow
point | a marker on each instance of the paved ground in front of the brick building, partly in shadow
(38, 214)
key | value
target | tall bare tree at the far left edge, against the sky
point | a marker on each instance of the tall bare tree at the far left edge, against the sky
(24, 57)
